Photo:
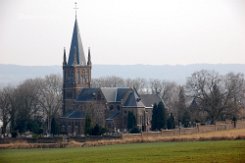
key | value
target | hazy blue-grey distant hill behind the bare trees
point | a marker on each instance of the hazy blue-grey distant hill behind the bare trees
(14, 74)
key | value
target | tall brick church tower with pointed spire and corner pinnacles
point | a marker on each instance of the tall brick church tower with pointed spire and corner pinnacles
(76, 72)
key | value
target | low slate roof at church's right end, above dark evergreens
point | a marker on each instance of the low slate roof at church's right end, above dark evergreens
(150, 99)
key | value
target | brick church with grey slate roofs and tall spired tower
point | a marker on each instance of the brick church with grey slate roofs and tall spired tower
(107, 107)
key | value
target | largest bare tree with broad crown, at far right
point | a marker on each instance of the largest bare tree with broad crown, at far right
(215, 95)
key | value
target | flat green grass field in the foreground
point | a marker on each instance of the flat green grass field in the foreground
(206, 151)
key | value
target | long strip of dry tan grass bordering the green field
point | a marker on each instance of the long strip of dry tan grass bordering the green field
(233, 134)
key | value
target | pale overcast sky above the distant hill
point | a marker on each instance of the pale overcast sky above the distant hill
(152, 32)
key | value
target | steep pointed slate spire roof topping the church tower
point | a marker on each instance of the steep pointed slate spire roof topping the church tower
(76, 55)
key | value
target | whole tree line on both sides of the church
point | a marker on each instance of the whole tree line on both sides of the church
(207, 96)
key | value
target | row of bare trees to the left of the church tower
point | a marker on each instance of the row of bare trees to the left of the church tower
(39, 98)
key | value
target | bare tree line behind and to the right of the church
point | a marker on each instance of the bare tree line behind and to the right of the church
(206, 97)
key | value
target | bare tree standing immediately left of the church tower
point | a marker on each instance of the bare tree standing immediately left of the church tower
(50, 98)
